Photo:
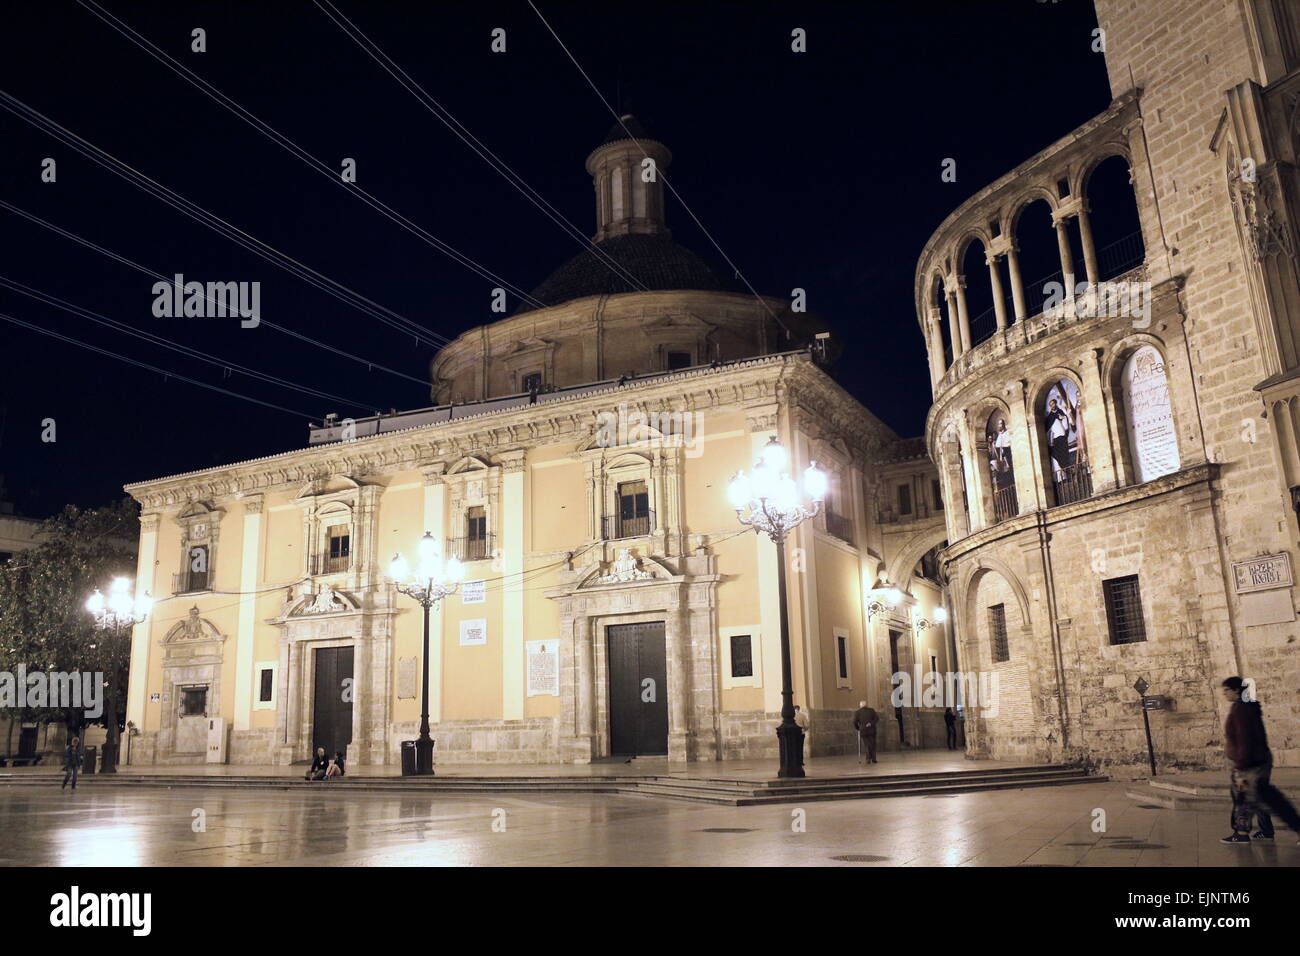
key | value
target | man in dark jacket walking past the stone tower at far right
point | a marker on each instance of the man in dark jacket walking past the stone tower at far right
(1246, 745)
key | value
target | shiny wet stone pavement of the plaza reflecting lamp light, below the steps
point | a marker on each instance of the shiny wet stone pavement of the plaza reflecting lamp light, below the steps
(1020, 828)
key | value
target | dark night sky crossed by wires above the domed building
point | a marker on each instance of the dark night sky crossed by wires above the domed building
(818, 171)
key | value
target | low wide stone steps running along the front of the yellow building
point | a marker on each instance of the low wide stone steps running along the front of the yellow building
(707, 790)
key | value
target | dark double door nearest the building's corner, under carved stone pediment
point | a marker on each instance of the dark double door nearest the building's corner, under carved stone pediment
(639, 690)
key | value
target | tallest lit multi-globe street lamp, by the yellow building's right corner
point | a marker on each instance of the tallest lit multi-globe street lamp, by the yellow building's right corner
(770, 503)
